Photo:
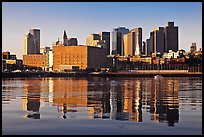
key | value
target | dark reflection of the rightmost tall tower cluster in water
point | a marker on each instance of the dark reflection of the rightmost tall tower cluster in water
(164, 104)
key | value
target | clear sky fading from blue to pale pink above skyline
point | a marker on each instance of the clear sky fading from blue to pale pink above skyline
(81, 19)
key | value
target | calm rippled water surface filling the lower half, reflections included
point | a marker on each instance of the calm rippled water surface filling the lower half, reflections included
(99, 105)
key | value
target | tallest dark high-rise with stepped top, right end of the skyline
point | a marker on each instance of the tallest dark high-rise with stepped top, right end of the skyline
(171, 37)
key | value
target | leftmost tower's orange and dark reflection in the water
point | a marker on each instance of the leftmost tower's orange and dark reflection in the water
(31, 102)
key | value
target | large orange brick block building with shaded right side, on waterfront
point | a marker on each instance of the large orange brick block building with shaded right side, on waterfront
(86, 57)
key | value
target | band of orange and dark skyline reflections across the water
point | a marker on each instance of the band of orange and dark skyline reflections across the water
(110, 98)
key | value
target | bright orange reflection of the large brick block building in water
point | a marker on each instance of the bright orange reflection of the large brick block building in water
(69, 95)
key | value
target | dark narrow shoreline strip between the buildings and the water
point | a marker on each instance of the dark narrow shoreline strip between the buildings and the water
(149, 73)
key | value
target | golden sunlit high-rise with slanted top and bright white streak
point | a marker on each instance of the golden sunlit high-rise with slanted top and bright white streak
(133, 42)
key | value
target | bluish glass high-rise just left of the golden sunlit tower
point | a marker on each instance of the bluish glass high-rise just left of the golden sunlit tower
(117, 41)
